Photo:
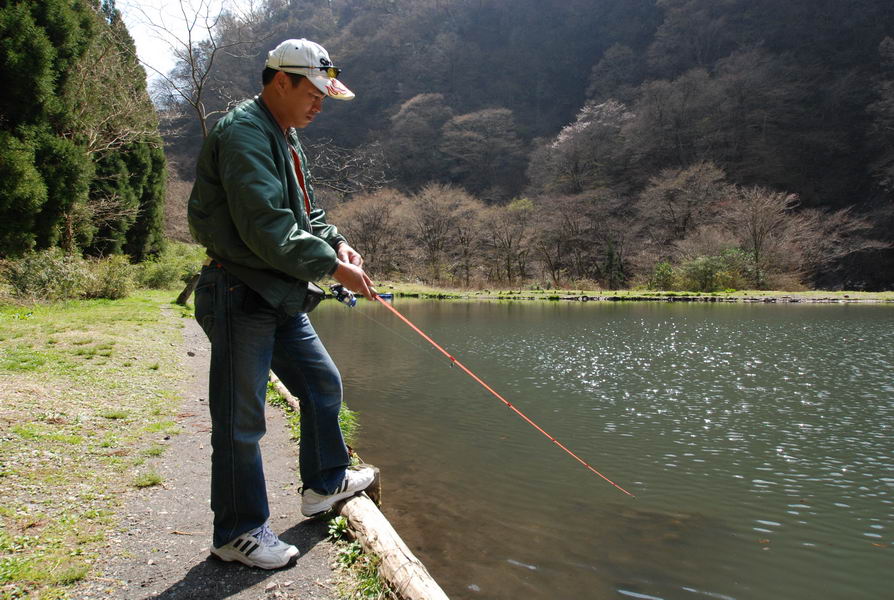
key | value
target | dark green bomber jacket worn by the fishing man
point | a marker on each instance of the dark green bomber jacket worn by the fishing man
(247, 209)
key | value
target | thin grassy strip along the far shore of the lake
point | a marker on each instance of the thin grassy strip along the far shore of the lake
(524, 293)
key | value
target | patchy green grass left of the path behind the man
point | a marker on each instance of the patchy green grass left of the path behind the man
(88, 392)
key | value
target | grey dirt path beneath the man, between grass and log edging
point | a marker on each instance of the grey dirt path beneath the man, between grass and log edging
(160, 547)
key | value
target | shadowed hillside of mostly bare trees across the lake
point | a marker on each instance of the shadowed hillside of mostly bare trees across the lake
(696, 143)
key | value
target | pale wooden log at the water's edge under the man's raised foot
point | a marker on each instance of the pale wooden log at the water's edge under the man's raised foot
(405, 573)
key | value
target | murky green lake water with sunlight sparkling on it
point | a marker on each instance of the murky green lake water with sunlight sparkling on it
(758, 440)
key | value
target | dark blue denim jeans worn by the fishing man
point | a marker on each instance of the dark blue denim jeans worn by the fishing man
(248, 338)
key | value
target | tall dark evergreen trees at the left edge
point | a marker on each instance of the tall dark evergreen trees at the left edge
(81, 159)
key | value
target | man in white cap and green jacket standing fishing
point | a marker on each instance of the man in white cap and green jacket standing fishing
(253, 208)
